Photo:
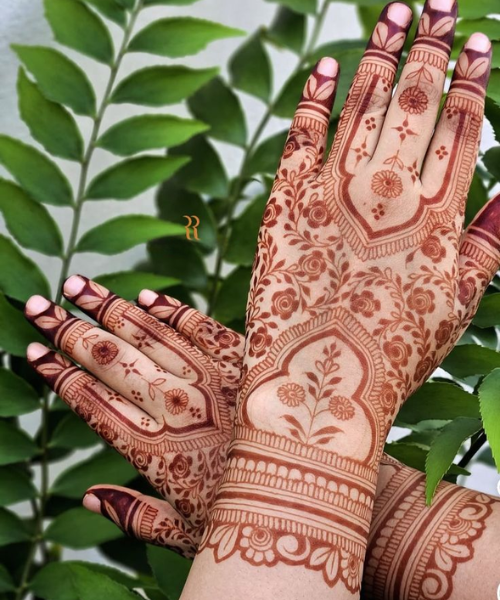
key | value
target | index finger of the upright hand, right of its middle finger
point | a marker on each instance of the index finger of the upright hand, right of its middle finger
(451, 158)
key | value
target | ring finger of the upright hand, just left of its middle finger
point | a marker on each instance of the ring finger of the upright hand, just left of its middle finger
(363, 114)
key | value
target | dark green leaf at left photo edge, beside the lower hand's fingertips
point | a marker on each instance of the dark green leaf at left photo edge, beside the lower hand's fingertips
(15, 332)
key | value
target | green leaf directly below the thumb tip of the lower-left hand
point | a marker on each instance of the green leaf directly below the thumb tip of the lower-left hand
(79, 528)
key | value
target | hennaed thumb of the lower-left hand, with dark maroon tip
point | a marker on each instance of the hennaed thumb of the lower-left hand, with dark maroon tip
(146, 518)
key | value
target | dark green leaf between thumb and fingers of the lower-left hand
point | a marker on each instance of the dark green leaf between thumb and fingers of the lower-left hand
(106, 465)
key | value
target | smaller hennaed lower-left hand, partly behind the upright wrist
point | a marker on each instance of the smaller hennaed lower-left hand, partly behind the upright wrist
(162, 397)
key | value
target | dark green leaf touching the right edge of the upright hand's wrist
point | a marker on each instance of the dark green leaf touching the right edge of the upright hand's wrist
(438, 400)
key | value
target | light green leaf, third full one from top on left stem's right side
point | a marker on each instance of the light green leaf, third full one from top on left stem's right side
(148, 132)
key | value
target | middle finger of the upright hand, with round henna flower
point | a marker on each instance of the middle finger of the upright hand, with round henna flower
(411, 118)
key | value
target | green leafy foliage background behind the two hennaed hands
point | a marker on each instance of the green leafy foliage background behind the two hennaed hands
(445, 418)
